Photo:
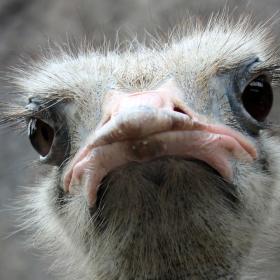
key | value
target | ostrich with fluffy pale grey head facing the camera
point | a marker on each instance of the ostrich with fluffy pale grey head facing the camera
(159, 161)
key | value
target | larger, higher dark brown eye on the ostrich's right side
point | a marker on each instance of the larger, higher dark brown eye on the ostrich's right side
(257, 98)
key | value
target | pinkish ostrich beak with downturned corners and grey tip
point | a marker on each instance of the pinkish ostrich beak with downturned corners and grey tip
(146, 125)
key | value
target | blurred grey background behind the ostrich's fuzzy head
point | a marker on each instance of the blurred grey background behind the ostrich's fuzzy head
(26, 27)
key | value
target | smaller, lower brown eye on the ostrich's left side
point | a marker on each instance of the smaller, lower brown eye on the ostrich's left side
(41, 136)
